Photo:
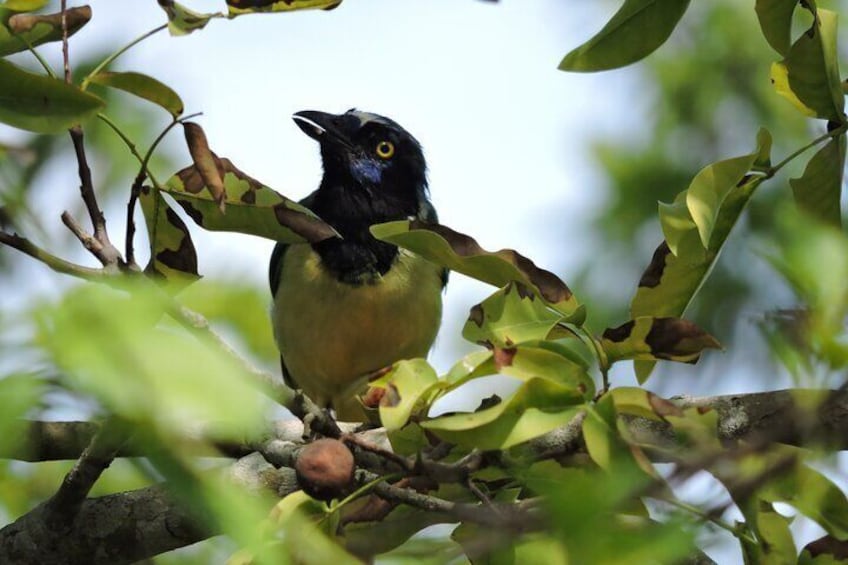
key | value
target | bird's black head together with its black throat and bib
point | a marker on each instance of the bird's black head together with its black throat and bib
(374, 172)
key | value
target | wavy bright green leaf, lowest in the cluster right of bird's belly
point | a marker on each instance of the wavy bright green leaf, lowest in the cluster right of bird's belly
(537, 407)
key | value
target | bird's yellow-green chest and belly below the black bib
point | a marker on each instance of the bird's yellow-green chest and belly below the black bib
(331, 332)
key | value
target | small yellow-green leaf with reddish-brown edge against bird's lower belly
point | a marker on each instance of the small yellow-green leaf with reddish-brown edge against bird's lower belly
(408, 387)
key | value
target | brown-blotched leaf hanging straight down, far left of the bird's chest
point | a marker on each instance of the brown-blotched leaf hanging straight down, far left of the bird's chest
(172, 253)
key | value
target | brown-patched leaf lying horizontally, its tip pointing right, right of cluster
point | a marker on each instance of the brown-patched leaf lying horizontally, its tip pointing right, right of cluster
(650, 339)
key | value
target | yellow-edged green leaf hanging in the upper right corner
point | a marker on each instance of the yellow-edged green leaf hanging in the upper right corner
(812, 72)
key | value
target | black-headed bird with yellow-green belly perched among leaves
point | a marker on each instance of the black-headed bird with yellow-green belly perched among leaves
(347, 307)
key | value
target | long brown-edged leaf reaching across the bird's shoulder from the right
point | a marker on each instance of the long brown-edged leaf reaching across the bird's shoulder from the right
(459, 252)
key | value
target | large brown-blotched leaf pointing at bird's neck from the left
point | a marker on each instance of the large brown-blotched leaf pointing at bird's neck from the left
(252, 207)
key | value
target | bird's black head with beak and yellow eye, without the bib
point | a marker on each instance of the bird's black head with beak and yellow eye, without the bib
(373, 168)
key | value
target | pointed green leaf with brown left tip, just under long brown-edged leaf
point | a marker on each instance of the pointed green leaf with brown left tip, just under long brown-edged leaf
(508, 317)
